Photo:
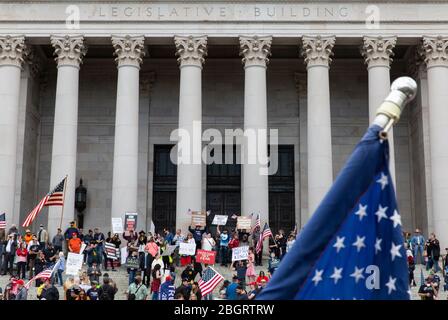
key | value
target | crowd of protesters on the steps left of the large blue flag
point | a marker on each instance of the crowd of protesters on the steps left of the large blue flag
(151, 274)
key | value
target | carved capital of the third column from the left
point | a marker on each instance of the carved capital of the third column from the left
(129, 50)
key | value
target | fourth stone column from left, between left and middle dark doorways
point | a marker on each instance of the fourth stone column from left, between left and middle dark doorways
(191, 52)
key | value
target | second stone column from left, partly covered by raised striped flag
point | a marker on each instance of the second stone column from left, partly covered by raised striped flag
(69, 51)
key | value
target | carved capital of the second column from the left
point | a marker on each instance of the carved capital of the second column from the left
(69, 50)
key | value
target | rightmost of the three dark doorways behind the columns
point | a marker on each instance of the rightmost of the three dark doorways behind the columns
(281, 192)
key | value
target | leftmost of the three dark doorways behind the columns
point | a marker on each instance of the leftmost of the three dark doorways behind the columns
(164, 189)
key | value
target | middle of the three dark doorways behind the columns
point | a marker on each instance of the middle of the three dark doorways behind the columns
(224, 190)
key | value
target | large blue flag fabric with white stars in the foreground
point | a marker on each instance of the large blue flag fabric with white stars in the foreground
(352, 247)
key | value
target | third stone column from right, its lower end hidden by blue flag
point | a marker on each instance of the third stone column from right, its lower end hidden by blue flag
(317, 52)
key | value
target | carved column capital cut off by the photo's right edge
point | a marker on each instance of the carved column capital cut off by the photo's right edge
(435, 51)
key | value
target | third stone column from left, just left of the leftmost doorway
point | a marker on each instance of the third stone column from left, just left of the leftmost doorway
(129, 51)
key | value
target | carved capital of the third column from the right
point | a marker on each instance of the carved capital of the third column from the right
(317, 50)
